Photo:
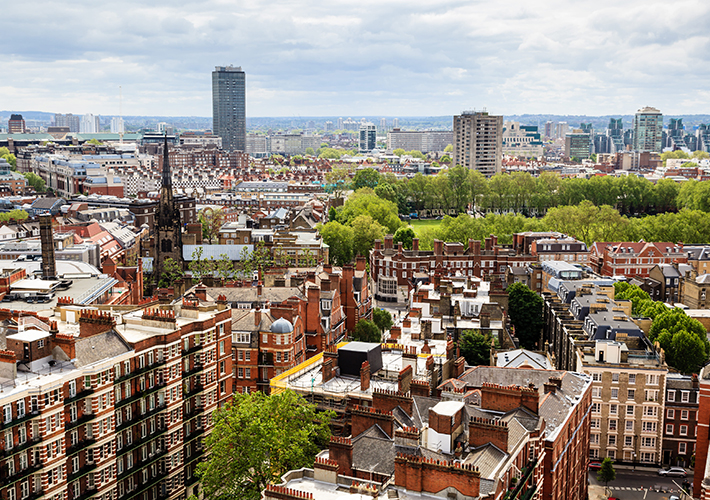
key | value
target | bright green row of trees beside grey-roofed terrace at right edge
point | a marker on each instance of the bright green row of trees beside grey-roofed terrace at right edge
(683, 338)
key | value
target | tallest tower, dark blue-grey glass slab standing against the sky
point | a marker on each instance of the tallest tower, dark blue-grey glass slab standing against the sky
(229, 107)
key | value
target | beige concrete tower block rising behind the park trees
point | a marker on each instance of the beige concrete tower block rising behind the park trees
(478, 142)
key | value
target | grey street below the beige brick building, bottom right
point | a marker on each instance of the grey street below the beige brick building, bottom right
(641, 484)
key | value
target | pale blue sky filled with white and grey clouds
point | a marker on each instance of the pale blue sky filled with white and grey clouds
(357, 57)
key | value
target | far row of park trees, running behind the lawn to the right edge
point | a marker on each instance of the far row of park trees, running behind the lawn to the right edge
(457, 189)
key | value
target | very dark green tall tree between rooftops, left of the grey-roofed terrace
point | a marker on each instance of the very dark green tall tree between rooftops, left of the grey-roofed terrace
(525, 312)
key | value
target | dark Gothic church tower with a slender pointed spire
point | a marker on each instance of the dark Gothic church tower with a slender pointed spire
(168, 237)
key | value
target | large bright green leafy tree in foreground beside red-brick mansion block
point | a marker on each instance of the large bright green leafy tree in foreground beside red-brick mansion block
(256, 439)
